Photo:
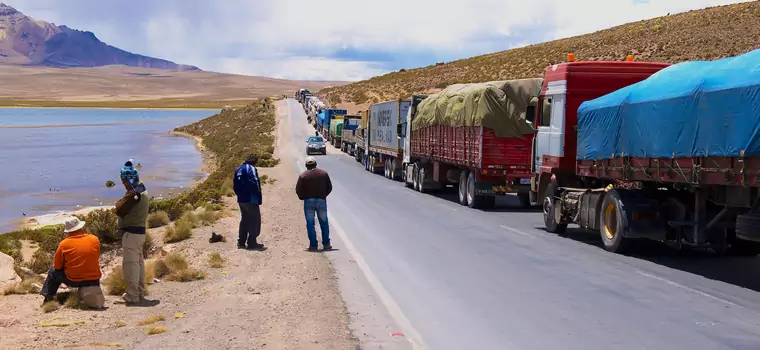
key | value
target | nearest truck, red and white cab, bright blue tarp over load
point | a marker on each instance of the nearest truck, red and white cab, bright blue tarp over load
(658, 152)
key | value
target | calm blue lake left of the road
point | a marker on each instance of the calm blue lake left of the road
(59, 159)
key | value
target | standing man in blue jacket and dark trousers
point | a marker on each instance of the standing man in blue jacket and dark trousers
(248, 190)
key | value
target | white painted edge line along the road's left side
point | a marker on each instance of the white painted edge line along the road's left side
(410, 333)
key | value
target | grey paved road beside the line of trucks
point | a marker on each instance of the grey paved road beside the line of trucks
(467, 279)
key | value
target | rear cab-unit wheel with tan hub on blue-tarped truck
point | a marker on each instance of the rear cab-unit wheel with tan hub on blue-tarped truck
(613, 223)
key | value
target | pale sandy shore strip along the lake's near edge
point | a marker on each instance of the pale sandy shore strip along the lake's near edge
(208, 165)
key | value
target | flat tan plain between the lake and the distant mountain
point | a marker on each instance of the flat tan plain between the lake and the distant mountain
(120, 86)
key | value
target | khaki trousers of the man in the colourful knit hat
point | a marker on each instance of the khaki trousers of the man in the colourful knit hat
(133, 266)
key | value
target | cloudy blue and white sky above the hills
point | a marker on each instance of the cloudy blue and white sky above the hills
(337, 39)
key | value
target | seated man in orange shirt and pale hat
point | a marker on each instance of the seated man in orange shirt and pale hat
(77, 260)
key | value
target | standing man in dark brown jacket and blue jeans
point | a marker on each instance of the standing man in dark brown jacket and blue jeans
(313, 187)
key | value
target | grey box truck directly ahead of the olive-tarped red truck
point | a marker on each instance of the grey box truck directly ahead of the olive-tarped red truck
(384, 150)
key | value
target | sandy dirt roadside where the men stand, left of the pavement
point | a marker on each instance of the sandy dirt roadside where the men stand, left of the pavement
(283, 298)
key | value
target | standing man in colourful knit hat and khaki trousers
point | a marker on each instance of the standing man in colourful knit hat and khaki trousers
(132, 210)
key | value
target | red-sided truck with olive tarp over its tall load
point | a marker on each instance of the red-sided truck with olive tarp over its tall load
(476, 137)
